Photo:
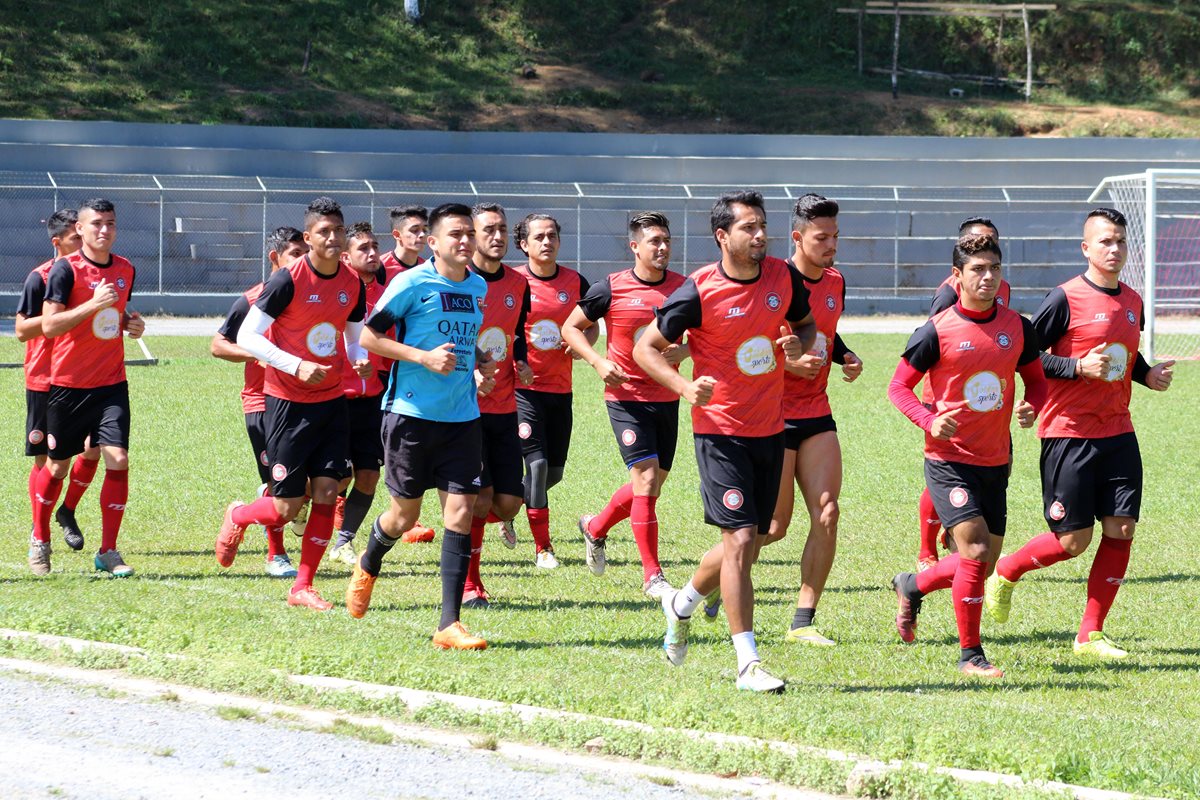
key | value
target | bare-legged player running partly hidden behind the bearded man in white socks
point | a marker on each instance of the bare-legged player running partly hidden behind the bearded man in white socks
(812, 452)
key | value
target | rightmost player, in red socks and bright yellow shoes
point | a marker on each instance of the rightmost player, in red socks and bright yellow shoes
(1091, 465)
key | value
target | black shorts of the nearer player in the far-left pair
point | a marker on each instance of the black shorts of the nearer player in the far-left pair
(73, 416)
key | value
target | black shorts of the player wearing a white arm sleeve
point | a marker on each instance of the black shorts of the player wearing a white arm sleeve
(307, 441)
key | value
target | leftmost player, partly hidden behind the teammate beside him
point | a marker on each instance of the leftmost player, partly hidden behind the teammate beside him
(65, 240)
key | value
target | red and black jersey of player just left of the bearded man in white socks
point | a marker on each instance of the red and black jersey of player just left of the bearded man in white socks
(628, 305)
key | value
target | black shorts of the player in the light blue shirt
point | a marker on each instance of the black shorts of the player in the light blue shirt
(423, 455)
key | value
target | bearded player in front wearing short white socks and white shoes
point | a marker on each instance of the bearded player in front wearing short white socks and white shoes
(739, 315)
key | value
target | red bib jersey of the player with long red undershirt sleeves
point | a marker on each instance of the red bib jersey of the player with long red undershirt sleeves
(971, 365)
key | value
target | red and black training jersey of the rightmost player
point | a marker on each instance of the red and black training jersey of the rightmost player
(1073, 320)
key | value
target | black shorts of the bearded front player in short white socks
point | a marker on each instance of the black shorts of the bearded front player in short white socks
(740, 479)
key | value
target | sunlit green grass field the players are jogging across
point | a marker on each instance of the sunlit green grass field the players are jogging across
(571, 641)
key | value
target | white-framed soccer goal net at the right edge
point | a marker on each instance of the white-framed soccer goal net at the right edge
(1163, 210)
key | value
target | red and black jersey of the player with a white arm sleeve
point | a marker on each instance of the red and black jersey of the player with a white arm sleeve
(310, 311)
